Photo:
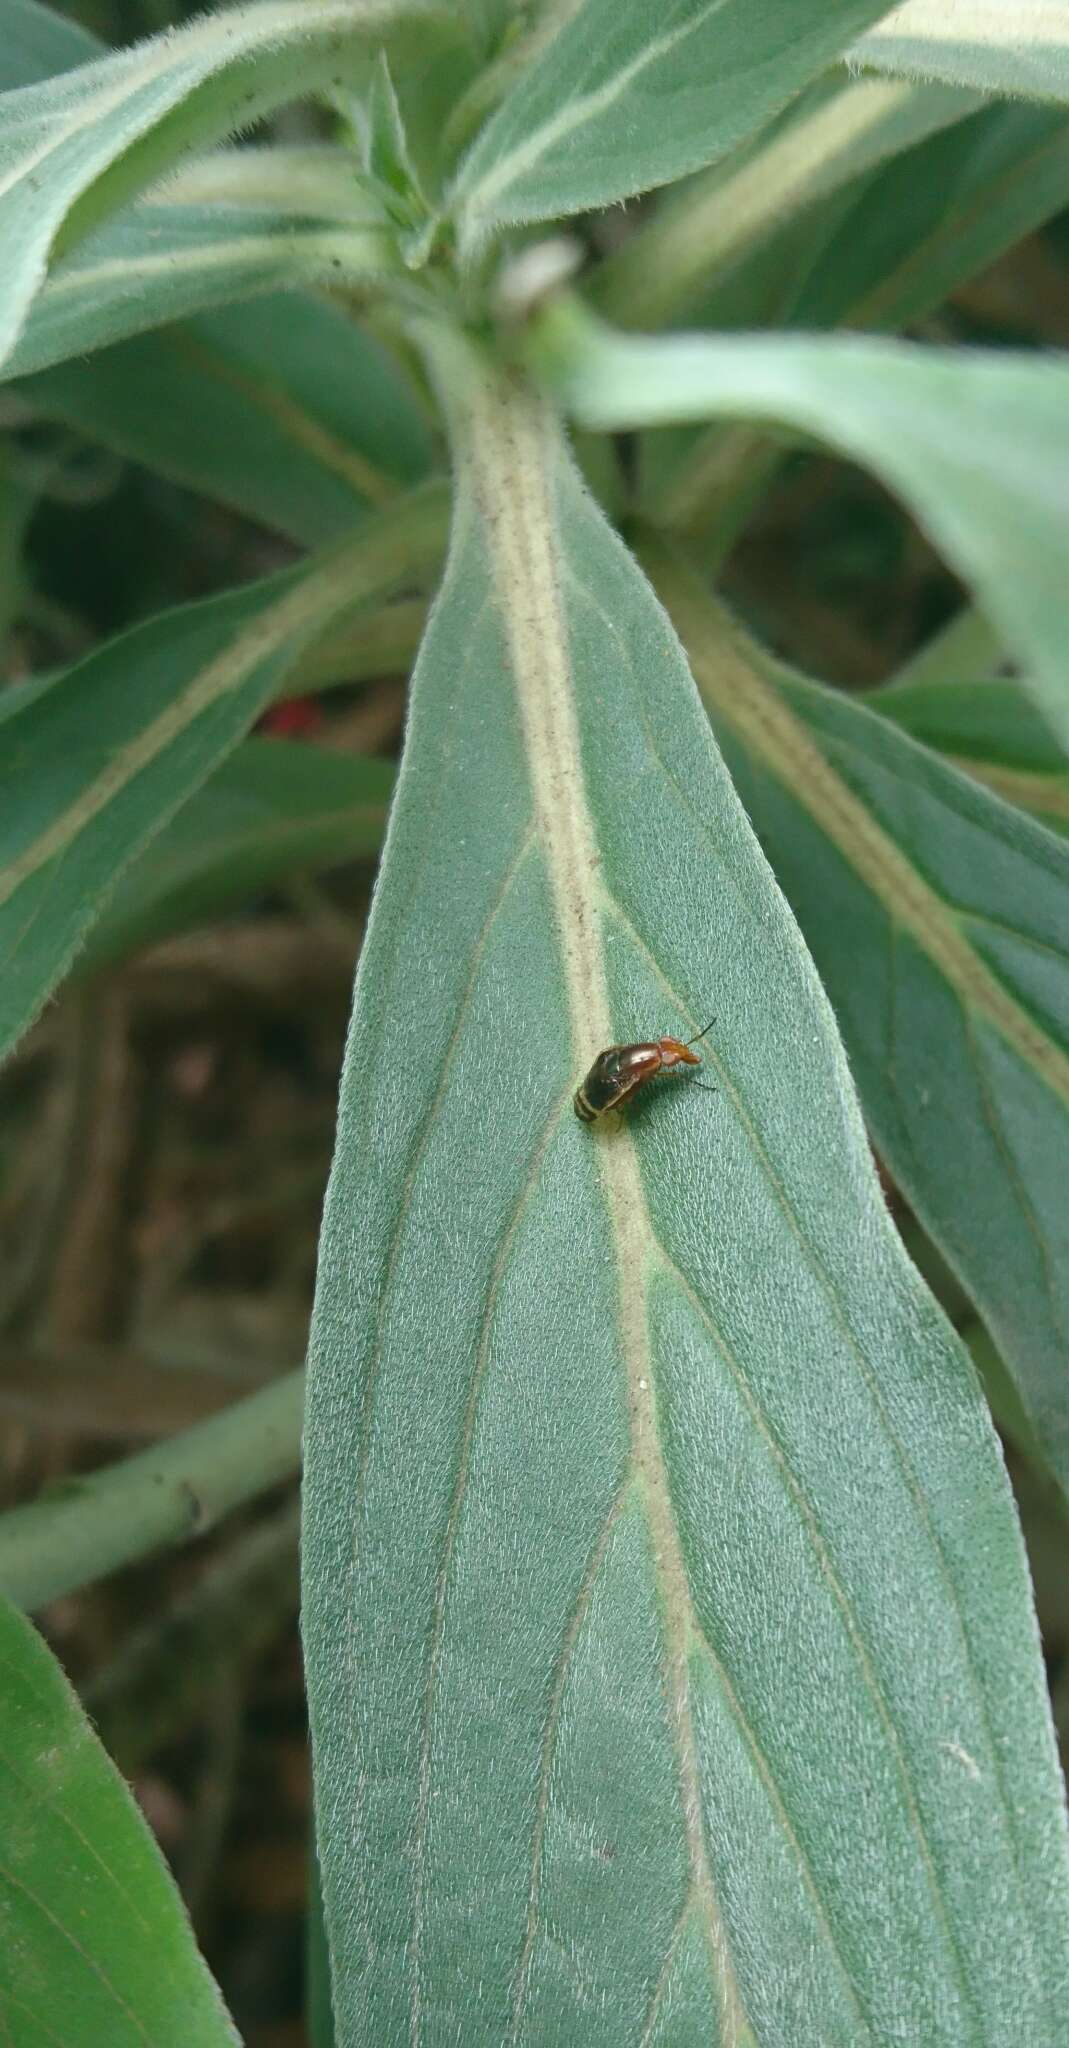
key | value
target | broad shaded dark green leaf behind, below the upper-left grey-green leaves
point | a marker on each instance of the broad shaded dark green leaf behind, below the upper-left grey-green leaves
(284, 411)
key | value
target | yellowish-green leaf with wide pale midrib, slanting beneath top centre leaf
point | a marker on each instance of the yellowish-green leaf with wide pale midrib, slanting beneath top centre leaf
(835, 134)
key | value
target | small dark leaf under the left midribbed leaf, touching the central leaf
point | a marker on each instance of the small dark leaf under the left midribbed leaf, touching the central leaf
(273, 810)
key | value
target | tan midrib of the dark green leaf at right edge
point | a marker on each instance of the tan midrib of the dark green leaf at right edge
(740, 695)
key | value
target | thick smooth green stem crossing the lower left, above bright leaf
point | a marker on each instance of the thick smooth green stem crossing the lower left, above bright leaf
(163, 1496)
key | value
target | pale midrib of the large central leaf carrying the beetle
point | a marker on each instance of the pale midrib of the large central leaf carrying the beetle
(507, 443)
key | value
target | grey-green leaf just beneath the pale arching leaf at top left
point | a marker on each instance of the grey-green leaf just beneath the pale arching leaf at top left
(165, 263)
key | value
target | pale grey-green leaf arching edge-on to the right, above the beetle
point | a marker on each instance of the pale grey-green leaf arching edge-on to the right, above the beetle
(978, 445)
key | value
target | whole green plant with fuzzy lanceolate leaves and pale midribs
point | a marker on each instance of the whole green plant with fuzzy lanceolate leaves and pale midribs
(671, 1648)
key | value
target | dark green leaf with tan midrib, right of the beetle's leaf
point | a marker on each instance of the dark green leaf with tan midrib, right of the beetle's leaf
(937, 919)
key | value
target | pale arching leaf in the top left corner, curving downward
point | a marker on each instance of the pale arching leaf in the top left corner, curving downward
(75, 148)
